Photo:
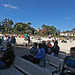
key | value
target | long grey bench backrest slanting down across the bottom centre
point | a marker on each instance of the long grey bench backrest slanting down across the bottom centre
(29, 68)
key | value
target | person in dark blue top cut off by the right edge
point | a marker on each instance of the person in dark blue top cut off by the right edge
(69, 63)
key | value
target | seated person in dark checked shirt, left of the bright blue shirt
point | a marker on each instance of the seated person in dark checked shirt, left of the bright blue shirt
(32, 52)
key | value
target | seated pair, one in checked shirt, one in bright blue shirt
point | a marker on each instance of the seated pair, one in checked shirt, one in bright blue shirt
(35, 55)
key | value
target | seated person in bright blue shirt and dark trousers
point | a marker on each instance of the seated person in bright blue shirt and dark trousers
(40, 55)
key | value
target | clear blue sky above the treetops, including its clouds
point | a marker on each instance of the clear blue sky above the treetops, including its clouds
(59, 13)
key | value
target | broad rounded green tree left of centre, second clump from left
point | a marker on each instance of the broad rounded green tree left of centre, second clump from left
(23, 28)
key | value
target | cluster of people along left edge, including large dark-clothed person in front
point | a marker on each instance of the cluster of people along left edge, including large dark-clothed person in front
(7, 58)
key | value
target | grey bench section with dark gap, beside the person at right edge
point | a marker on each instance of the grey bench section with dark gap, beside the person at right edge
(55, 64)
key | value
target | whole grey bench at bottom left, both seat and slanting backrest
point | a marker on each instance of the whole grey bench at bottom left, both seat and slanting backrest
(24, 67)
